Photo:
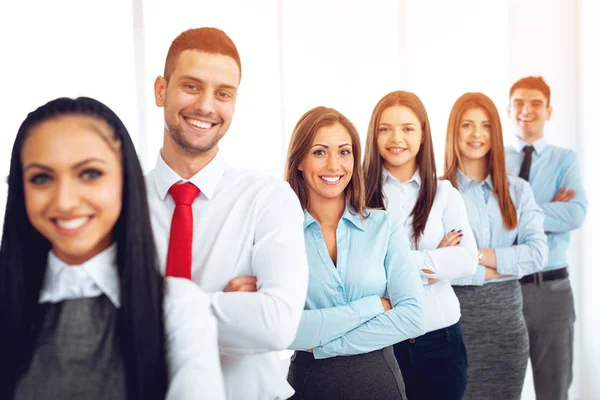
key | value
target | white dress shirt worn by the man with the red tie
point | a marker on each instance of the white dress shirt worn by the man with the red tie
(245, 224)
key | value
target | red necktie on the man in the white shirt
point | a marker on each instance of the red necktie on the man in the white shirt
(179, 257)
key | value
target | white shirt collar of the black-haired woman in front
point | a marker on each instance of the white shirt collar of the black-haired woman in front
(102, 269)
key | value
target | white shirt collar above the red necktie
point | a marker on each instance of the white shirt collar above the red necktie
(207, 179)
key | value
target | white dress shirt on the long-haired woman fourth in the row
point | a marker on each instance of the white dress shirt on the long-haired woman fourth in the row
(448, 212)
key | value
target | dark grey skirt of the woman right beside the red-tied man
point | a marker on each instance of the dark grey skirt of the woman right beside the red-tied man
(374, 375)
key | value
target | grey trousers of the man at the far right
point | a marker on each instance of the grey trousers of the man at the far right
(550, 316)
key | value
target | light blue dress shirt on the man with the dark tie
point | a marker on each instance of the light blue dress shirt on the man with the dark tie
(553, 167)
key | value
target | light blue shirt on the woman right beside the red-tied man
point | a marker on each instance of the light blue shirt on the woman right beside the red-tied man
(343, 313)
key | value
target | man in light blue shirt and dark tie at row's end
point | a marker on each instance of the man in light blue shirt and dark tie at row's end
(553, 173)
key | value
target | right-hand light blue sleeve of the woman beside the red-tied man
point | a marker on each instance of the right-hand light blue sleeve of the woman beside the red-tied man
(406, 319)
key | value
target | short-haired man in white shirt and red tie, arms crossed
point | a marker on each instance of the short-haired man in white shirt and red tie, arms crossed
(236, 233)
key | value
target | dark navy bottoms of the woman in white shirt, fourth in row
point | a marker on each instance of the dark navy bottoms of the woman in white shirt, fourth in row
(434, 366)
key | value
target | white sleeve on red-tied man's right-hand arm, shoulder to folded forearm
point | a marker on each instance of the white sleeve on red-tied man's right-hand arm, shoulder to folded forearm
(267, 320)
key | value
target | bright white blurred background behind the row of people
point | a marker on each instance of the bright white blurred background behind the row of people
(344, 54)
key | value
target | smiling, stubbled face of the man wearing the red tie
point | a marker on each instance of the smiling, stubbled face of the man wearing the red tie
(198, 100)
